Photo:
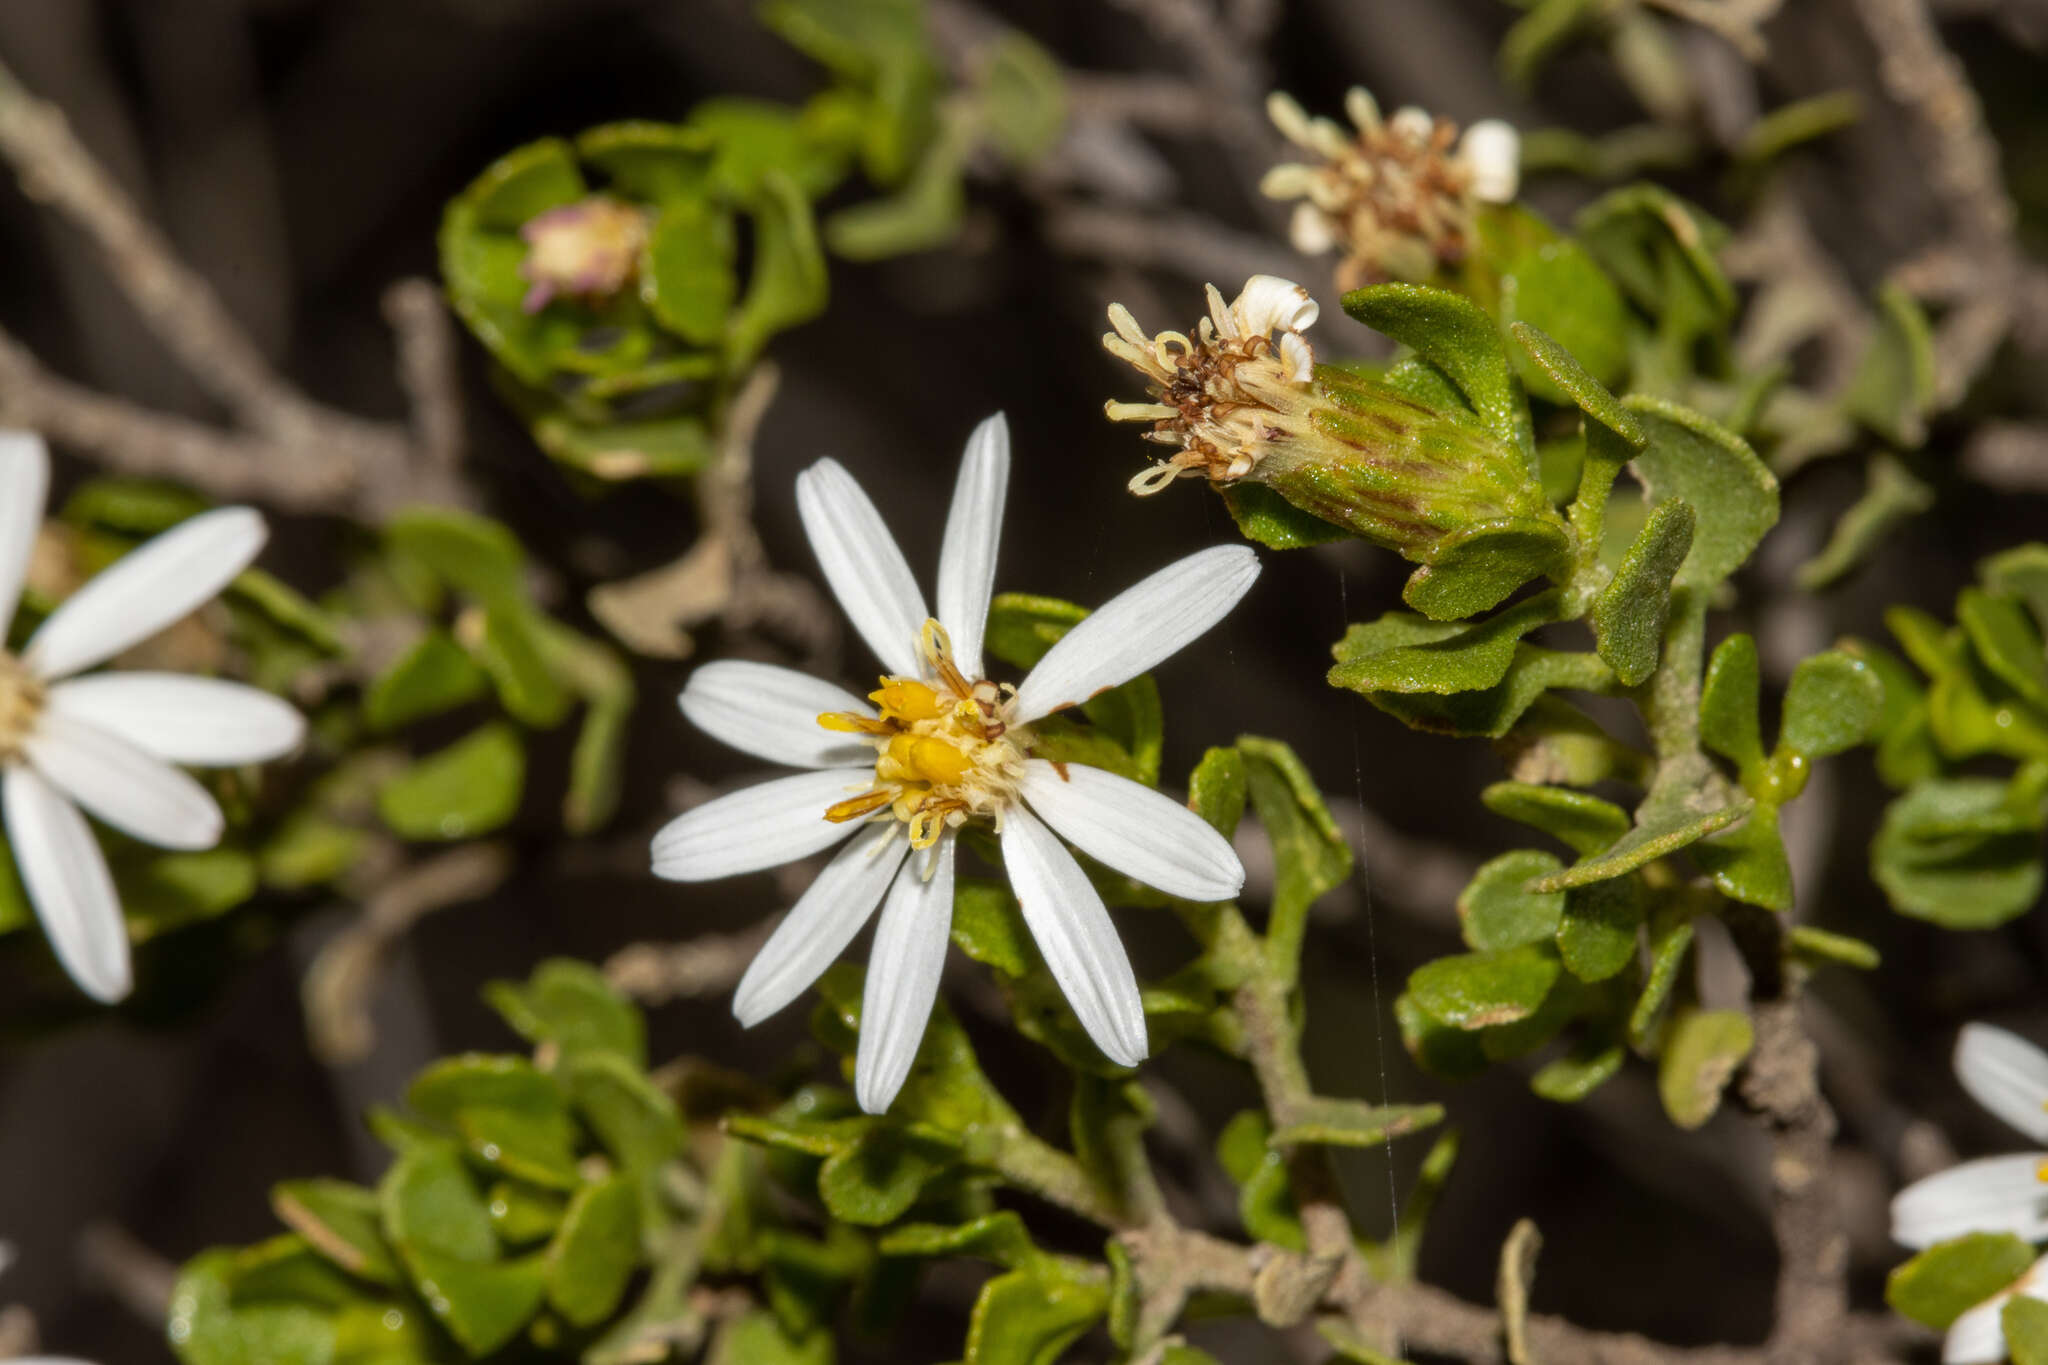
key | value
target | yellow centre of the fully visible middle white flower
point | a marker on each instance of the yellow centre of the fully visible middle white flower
(945, 750)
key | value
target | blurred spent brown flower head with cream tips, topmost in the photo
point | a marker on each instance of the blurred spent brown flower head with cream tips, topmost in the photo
(1396, 195)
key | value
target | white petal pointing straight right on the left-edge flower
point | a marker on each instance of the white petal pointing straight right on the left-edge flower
(179, 719)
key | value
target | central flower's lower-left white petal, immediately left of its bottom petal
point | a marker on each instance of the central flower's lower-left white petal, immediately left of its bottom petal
(822, 924)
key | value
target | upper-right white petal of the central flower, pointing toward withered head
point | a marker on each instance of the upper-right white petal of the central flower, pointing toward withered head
(1138, 629)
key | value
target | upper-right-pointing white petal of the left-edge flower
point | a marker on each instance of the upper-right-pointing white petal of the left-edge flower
(151, 588)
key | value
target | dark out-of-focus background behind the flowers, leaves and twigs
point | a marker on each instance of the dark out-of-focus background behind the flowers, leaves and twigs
(300, 152)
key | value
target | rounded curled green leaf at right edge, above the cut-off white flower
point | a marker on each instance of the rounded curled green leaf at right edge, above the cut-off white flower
(1959, 854)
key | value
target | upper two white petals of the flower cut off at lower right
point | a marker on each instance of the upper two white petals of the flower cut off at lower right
(1998, 1194)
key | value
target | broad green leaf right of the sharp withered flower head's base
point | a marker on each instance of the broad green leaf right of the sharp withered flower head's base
(1713, 470)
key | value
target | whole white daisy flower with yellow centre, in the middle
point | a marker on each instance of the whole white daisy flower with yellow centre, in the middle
(945, 746)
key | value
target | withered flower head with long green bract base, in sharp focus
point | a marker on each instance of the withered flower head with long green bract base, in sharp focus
(1244, 402)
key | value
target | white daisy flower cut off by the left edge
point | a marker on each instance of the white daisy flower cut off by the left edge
(110, 742)
